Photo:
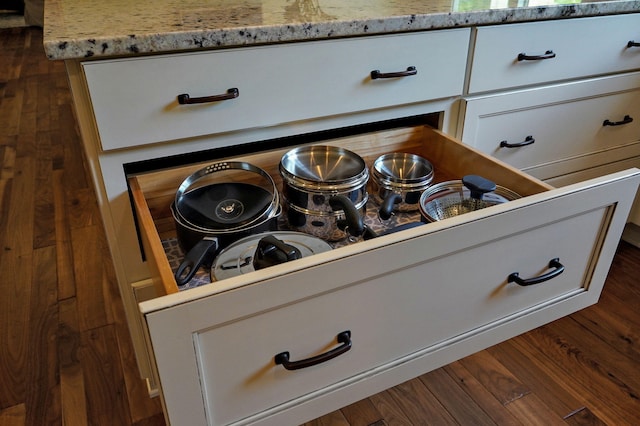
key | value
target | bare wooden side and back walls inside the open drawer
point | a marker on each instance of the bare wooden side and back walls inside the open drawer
(153, 192)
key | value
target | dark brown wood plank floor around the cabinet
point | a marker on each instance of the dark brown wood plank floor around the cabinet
(65, 352)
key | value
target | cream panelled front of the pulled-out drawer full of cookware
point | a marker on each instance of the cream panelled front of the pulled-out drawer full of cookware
(401, 298)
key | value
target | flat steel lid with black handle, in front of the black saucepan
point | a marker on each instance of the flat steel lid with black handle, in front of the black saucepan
(257, 251)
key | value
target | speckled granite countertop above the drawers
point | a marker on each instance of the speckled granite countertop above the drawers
(76, 29)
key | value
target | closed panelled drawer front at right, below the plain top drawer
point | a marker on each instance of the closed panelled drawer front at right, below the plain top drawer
(579, 125)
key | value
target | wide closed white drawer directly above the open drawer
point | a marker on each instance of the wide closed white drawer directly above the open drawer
(332, 77)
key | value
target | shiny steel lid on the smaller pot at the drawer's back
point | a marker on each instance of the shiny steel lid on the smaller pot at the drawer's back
(399, 168)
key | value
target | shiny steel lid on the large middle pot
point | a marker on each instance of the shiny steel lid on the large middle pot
(325, 166)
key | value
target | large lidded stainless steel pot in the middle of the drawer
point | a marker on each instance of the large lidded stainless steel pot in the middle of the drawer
(324, 190)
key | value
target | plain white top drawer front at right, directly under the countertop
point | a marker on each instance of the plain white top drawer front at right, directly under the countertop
(582, 47)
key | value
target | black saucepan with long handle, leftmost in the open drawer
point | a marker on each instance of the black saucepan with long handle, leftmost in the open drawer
(218, 205)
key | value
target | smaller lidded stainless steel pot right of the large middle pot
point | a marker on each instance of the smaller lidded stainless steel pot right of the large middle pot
(398, 180)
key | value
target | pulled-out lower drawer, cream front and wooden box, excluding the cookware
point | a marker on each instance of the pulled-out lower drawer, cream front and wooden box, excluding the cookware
(410, 301)
